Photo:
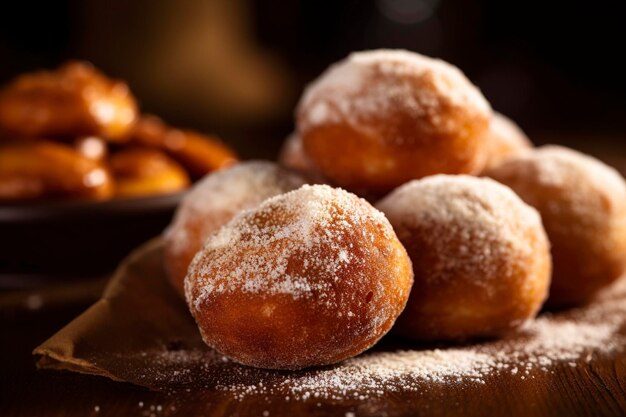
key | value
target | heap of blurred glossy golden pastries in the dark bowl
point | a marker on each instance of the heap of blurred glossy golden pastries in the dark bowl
(75, 134)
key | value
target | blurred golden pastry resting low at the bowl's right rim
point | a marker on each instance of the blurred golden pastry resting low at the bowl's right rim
(141, 172)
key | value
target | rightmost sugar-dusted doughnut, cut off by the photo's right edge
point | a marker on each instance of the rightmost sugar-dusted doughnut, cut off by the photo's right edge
(583, 205)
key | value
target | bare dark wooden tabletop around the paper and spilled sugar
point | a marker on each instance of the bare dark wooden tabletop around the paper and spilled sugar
(30, 317)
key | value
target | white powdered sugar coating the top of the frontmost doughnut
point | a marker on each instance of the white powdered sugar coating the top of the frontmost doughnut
(254, 252)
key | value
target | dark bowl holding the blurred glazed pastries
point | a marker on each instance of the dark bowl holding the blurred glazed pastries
(75, 240)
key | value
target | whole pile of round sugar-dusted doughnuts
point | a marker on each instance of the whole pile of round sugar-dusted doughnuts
(283, 277)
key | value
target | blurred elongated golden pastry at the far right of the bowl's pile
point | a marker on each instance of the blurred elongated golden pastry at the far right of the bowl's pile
(200, 154)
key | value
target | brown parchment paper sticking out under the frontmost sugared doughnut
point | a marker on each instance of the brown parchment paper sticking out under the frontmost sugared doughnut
(141, 332)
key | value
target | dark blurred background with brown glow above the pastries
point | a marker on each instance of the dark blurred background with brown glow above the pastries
(236, 68)
